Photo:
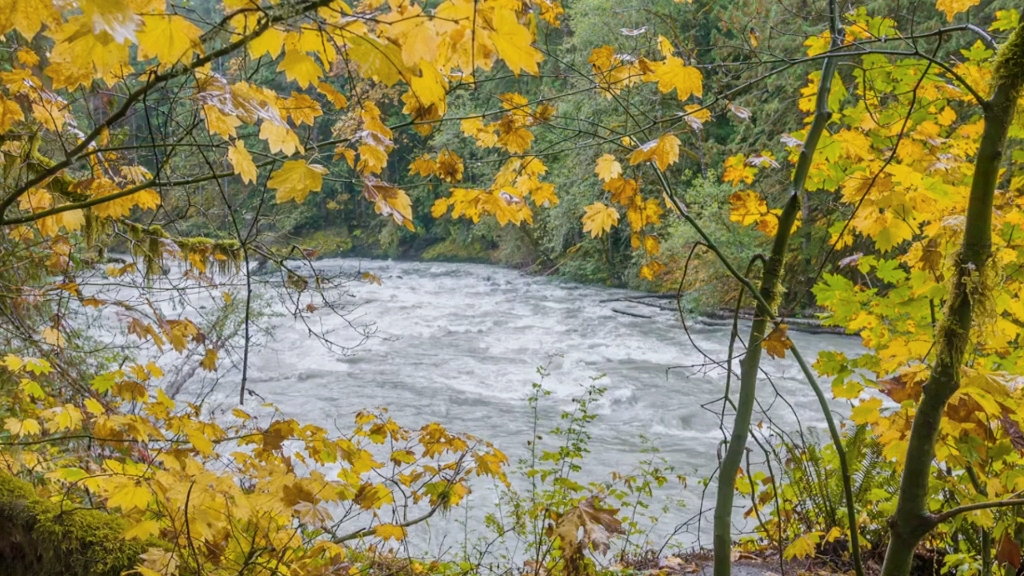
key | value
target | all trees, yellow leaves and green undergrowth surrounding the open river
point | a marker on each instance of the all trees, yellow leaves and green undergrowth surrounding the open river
(860, 159)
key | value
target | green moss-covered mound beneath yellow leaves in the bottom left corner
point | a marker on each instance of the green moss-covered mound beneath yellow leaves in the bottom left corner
(38, 539)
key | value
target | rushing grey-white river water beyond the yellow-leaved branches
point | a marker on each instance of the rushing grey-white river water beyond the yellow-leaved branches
(460, 345)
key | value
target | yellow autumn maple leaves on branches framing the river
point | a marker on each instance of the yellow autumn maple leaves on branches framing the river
(120, 118)
